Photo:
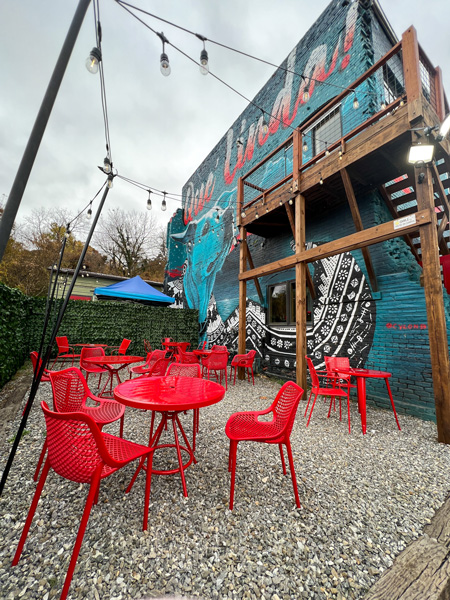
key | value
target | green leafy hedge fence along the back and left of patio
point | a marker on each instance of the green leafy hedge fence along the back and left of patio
(22, 321)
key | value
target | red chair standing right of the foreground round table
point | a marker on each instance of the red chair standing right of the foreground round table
(246, 426)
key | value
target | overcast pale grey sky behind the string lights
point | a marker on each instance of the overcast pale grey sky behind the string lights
(161, 128)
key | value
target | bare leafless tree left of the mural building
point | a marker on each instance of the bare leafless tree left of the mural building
(128, 239)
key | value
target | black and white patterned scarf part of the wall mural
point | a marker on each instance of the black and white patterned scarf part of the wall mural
(343, 321)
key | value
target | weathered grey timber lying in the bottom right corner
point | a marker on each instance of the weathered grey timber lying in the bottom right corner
(420, 572)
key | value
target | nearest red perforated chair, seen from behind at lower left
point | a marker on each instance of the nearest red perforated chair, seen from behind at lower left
(80, 452)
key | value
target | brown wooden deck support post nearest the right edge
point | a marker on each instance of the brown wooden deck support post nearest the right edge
(437, 329)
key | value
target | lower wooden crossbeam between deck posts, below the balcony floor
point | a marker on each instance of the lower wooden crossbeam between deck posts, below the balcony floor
(360, 239)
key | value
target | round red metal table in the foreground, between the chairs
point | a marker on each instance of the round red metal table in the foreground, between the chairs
(169, 396)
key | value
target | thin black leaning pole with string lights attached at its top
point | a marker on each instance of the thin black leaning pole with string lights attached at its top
(37, 377)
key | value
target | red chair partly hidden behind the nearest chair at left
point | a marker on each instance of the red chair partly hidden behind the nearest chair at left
(70, 394)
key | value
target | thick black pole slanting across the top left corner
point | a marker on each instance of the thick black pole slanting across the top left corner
(23, 173)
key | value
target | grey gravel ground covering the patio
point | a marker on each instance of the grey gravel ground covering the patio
(364, 498)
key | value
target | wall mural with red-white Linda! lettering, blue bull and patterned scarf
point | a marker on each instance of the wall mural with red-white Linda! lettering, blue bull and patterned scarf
(202, 235)
